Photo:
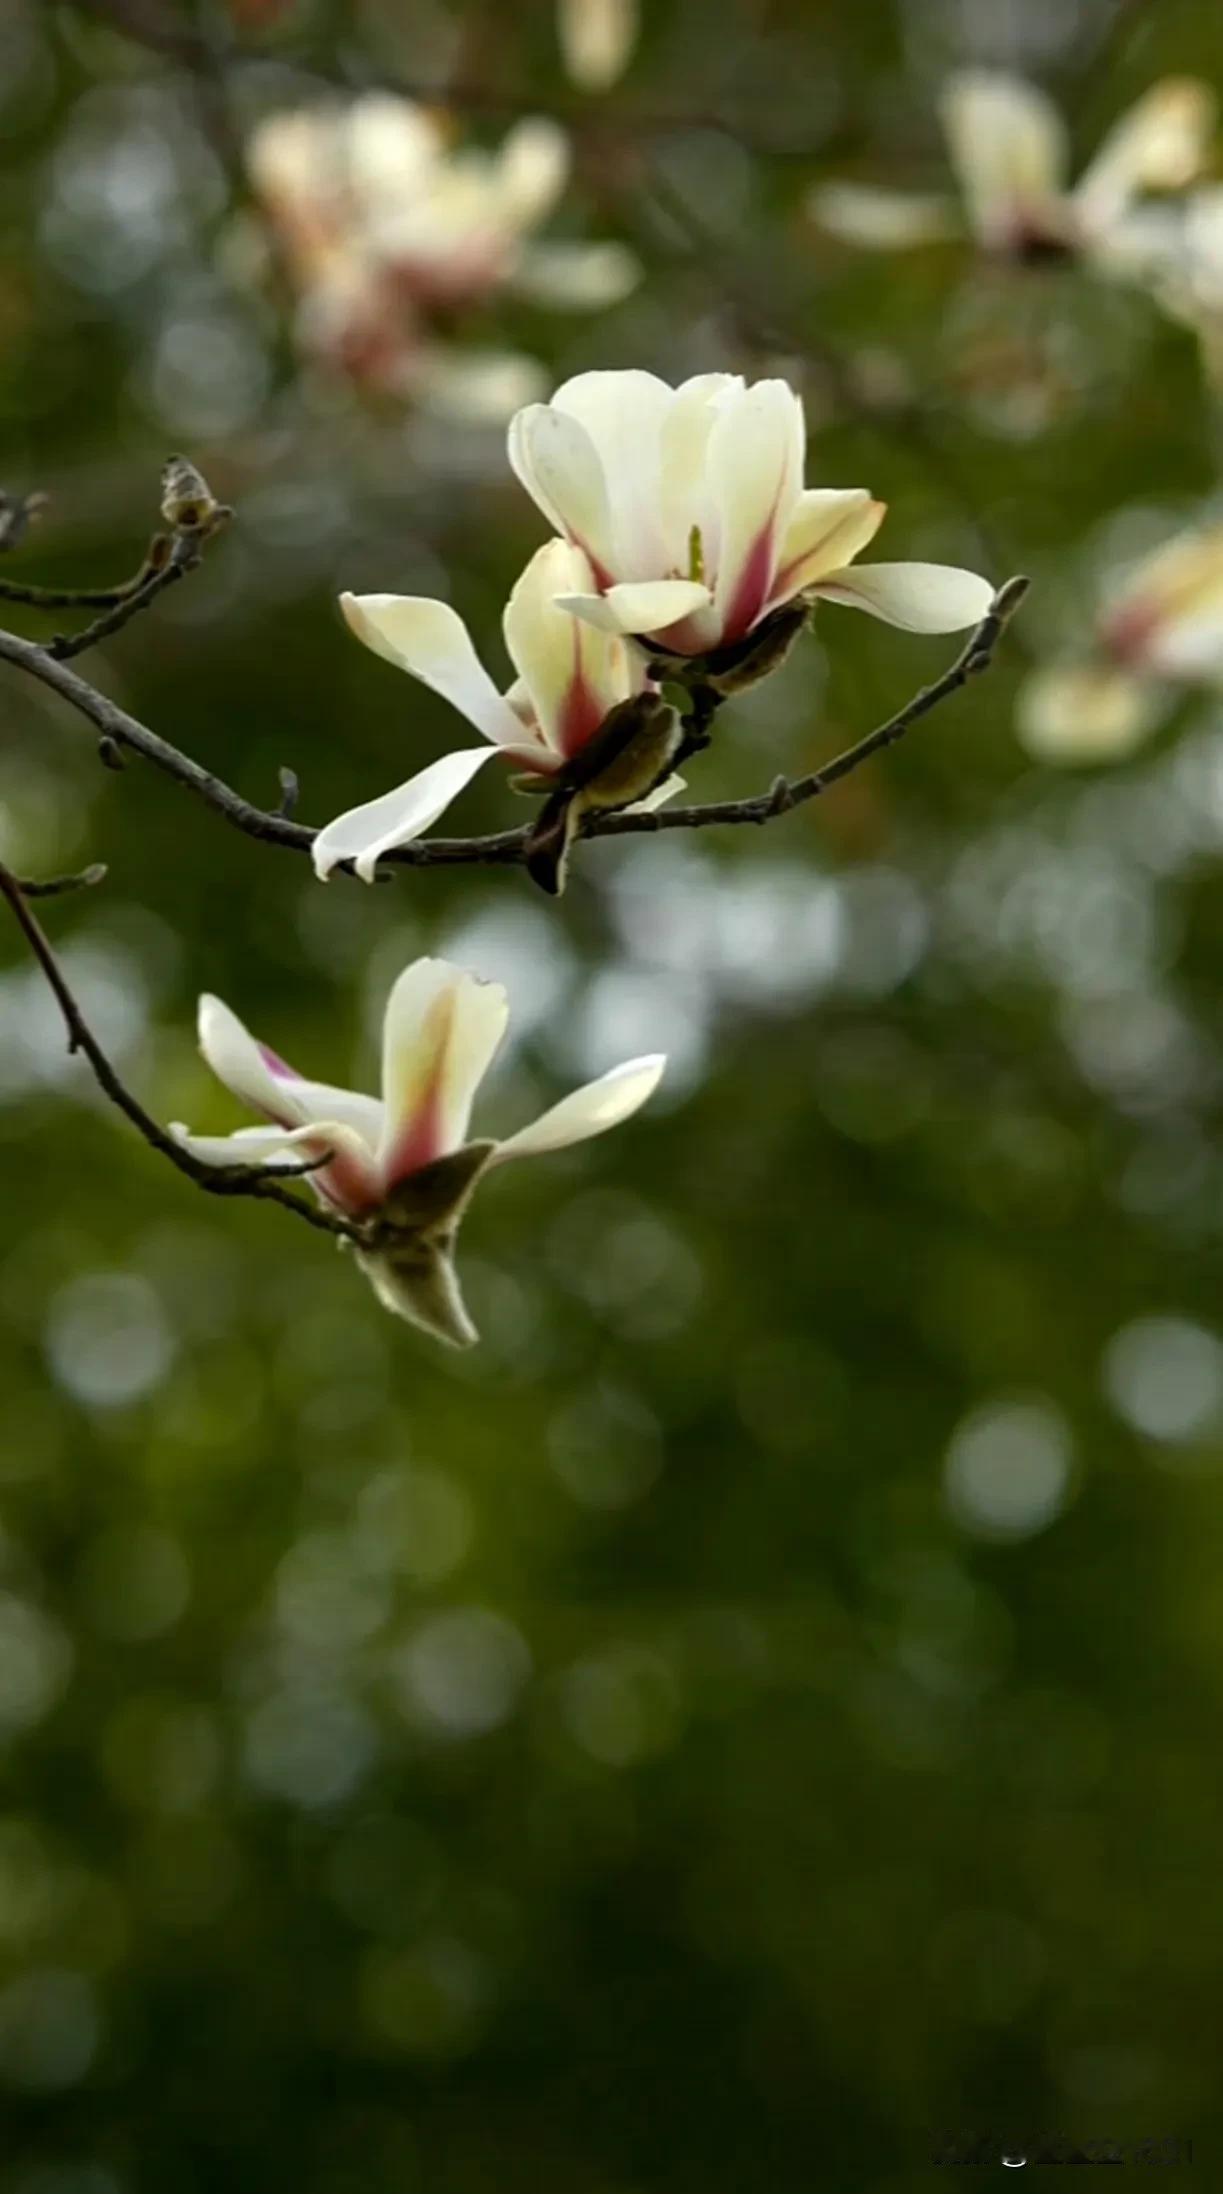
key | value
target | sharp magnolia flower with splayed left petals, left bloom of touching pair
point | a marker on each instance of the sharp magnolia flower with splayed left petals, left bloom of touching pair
(570, 681)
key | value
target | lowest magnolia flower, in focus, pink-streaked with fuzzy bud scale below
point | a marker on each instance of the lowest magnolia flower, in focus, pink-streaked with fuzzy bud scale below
(403, 1166)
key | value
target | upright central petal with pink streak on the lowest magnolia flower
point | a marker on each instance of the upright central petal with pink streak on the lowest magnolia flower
(438, 1039)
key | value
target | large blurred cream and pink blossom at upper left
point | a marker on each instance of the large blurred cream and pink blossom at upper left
(390, 236)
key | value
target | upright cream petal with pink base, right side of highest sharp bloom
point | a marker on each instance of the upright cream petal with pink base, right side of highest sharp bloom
(756, 475)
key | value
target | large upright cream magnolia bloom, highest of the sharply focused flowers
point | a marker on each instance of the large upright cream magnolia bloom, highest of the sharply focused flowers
(691, 510)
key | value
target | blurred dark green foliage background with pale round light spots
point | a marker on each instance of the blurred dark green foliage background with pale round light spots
(763, 1704)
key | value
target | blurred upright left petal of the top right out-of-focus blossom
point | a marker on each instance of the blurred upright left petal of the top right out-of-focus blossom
(1009, 148)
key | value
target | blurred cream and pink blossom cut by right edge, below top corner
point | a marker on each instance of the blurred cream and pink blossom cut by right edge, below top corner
(1158, 629)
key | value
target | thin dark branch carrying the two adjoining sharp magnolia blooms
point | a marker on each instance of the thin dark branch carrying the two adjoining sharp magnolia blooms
(506, 848)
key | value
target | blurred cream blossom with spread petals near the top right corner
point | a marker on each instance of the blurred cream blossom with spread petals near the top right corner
(1011, 157)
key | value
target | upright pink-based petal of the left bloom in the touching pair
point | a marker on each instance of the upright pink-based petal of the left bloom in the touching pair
(574, 675)
